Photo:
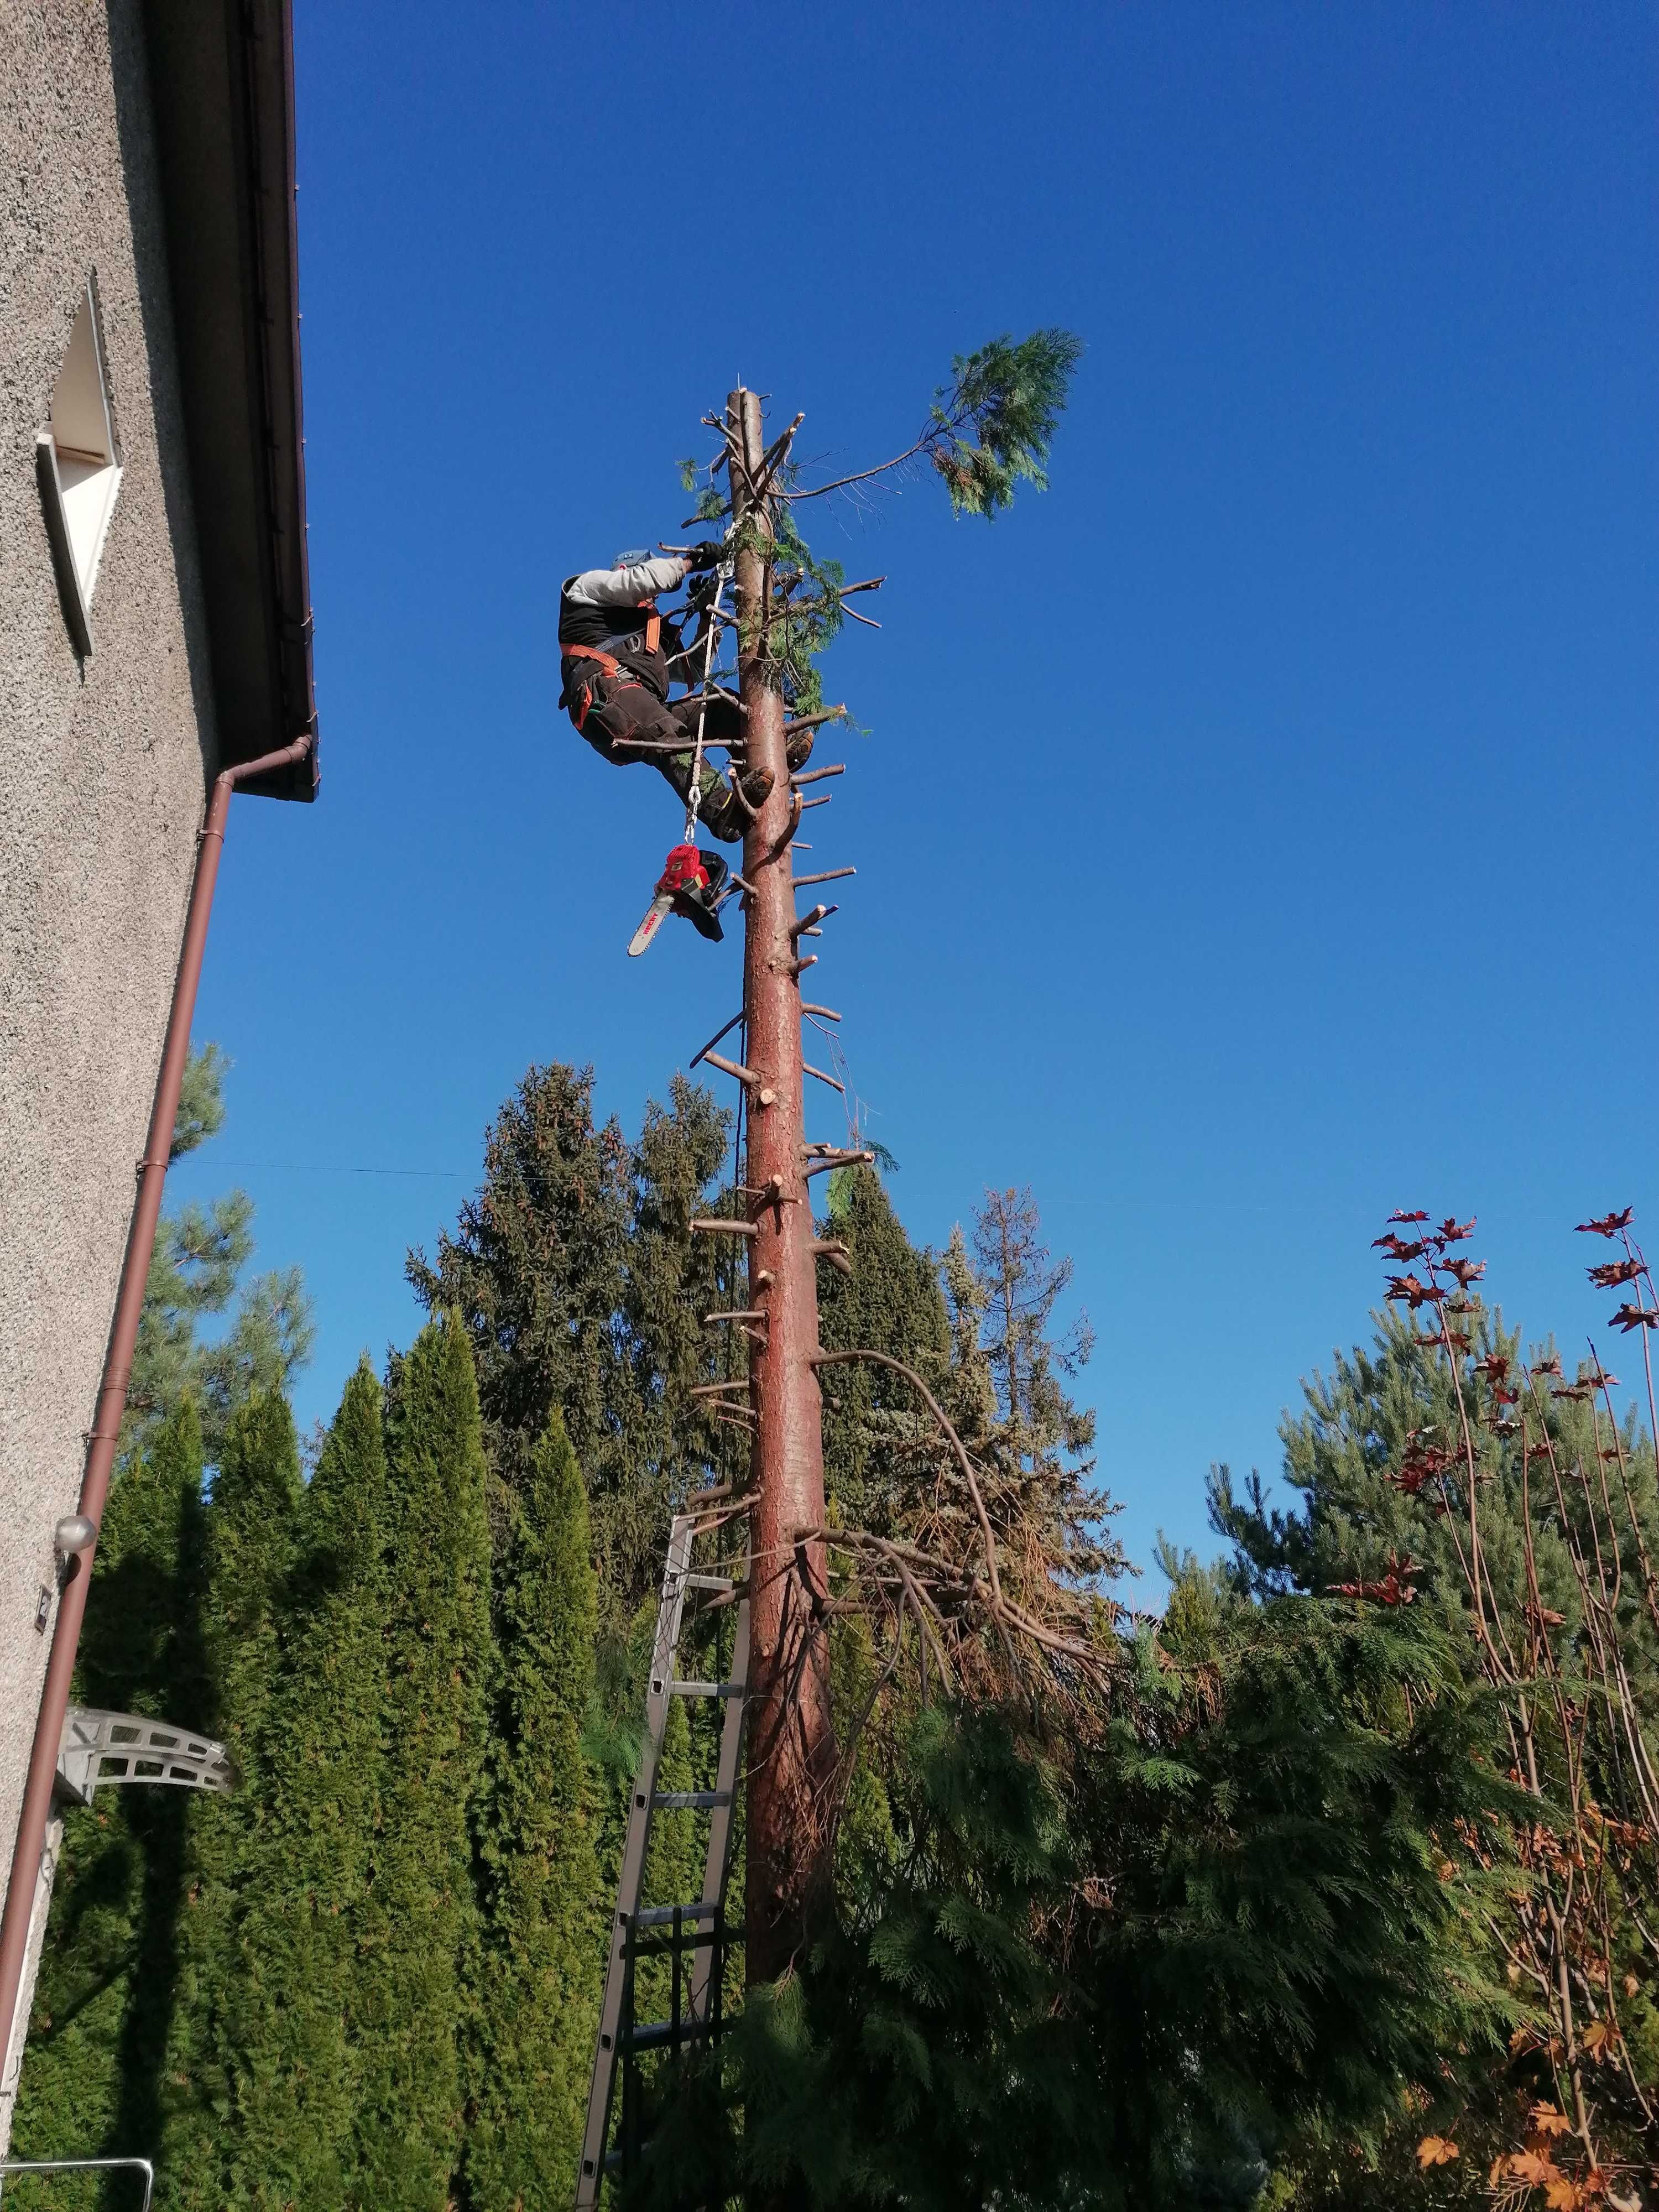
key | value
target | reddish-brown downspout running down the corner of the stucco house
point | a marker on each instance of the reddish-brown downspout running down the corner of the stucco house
(112, 1397)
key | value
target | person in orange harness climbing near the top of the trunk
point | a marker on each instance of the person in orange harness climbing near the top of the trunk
(618, 658)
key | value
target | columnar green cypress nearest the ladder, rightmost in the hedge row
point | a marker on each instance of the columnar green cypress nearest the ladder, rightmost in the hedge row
(545, 1923)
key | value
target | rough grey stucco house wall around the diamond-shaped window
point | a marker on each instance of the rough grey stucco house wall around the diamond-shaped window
(103, 771)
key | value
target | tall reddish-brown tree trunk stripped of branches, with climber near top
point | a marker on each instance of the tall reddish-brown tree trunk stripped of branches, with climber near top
(791, 1740)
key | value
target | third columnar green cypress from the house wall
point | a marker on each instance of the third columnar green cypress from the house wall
(291, 2010)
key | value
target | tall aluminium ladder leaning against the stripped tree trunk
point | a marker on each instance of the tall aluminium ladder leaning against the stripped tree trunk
(705, 1917)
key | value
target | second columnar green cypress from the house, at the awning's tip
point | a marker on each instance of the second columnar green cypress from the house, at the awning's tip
(251, 1532)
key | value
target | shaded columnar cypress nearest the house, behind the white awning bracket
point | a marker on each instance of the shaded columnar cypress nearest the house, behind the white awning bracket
(109, 1968)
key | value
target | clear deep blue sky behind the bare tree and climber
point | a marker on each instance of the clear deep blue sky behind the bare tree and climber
(1251, 833)
